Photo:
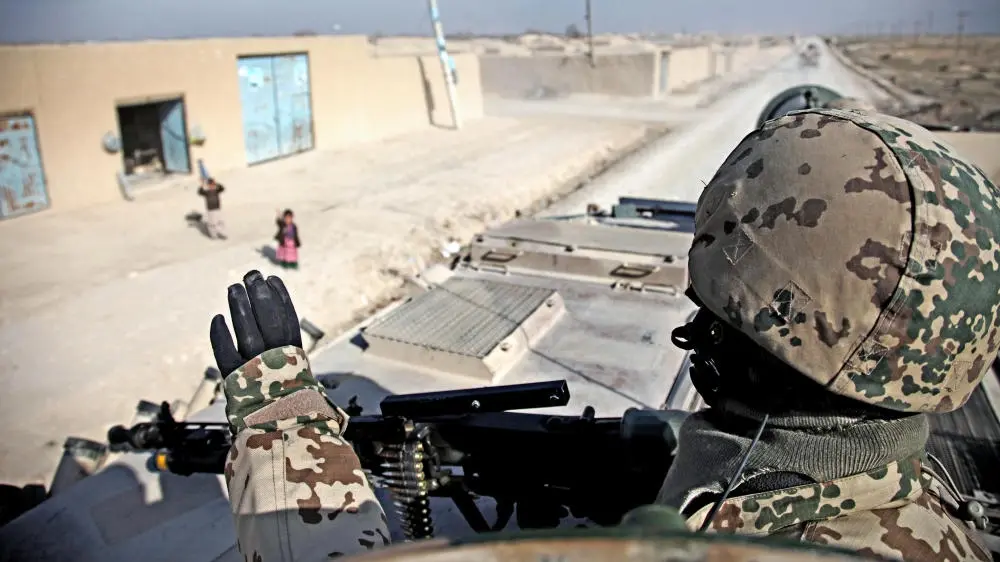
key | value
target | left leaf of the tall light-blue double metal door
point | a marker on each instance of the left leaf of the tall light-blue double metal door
(258, 100)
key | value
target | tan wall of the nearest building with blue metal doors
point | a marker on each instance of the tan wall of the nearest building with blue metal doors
(73, 91)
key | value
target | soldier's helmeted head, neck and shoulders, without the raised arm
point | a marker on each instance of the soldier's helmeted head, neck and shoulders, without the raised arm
(845, 267)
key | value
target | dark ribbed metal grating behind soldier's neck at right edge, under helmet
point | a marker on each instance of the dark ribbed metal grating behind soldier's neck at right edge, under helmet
(967, 441)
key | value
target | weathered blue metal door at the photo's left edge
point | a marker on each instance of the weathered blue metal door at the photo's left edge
(22, 181)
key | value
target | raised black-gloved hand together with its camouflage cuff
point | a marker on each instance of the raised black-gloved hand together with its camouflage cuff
(267, 364)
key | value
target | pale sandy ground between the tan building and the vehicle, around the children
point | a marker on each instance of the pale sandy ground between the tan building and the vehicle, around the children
(103, 307)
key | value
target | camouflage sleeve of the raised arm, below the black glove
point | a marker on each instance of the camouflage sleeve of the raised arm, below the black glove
(296, 488)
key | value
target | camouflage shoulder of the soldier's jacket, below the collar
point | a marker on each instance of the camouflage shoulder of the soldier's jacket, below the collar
(920, 531)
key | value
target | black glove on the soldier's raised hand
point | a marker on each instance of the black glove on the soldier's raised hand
(263, 318)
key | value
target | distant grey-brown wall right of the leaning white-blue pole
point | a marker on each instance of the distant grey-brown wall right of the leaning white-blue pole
(619, 74)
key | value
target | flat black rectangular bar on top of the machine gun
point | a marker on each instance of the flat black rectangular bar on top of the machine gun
(476, 400)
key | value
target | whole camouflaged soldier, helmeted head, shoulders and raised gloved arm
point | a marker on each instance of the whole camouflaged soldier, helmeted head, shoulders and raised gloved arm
(842, 298)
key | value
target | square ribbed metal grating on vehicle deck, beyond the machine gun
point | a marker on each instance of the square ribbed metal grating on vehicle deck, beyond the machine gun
(466, 317)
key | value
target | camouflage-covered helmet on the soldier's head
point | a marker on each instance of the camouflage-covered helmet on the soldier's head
(861, 251)
